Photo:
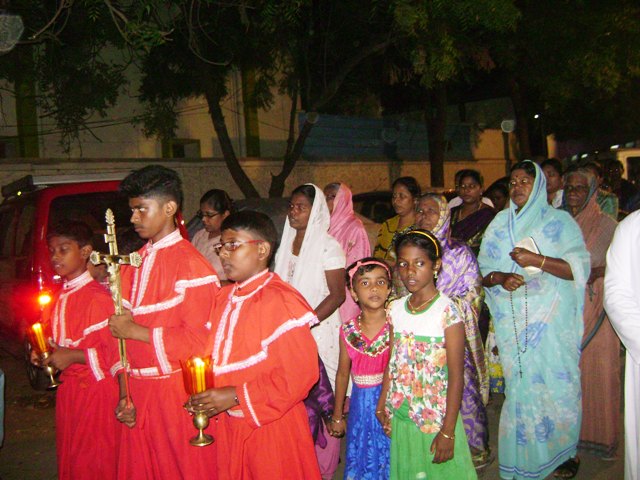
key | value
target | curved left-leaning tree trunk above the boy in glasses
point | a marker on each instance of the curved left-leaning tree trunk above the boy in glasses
(217, 117)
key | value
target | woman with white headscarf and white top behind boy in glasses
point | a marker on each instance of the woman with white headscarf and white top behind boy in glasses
(313, 262)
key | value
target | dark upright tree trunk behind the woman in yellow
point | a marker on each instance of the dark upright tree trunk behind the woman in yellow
(436, 122)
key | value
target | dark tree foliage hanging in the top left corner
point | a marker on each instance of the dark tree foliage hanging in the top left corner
(67, 62)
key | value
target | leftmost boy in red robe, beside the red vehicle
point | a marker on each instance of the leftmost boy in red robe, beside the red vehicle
(85, 427)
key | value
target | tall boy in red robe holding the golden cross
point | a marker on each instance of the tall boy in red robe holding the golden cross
(169, 302)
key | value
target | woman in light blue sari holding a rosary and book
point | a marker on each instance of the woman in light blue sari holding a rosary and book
(535, 267)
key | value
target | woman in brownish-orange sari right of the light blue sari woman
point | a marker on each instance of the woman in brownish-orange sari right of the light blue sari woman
(600, 360)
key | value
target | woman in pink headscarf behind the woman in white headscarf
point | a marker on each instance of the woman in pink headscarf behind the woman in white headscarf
(350, 233)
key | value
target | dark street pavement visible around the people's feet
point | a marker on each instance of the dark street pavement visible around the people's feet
(29, 452)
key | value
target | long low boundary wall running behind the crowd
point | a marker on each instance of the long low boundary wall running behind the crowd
(201, 175)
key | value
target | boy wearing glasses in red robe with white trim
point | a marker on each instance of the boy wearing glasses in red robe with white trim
(265, 361)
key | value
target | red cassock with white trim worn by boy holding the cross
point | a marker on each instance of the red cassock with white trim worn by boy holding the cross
(173, 294)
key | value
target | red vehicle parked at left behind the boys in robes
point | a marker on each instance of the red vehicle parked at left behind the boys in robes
(30, 206)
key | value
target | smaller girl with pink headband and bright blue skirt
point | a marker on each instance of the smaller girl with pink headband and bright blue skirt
(364, 352)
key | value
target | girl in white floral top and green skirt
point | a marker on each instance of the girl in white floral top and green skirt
(421, 395)
